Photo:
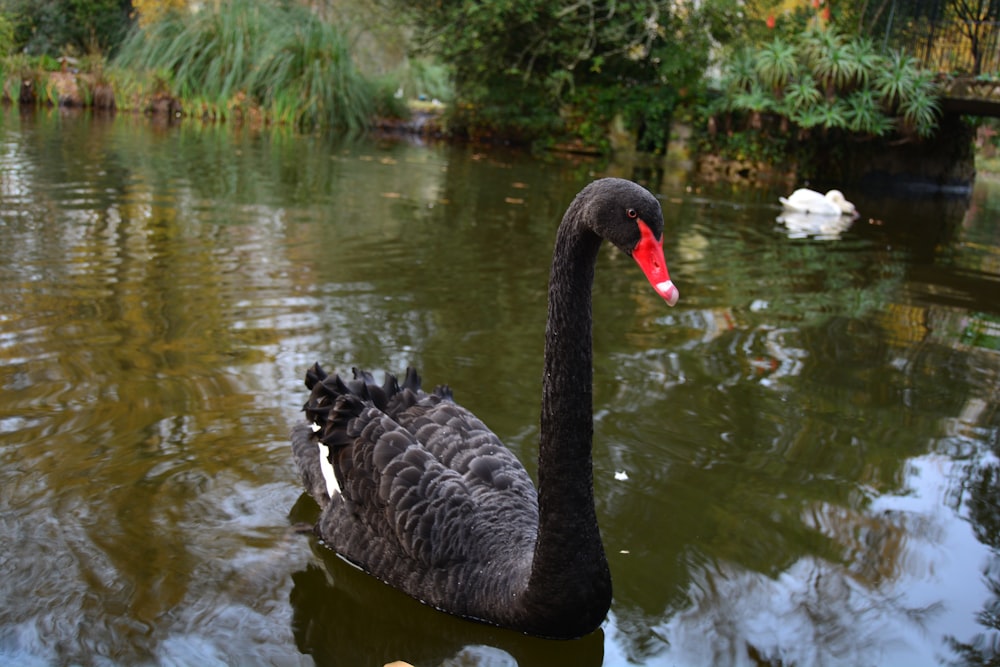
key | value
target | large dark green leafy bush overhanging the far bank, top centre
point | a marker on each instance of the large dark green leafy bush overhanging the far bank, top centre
(524, 69)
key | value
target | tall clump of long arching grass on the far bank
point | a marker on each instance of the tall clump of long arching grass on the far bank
(251, 53)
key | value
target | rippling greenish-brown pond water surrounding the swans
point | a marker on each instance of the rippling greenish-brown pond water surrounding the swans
(797, 465)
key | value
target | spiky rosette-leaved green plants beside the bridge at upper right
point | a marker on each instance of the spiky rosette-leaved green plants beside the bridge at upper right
(820, 81)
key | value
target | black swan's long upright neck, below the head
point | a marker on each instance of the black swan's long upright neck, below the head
(569, 569)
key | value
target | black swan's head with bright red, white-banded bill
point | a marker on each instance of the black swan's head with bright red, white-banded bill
(630, 217)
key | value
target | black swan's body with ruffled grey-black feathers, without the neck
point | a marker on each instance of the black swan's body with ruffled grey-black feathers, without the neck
(424, 495)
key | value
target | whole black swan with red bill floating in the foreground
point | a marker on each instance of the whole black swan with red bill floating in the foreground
(417, 491)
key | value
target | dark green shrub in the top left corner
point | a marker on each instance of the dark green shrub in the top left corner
(55, 27)
